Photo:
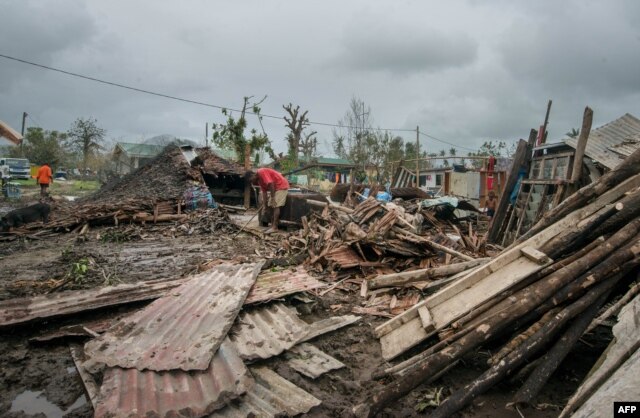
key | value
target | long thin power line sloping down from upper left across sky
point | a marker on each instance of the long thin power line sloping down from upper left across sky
(168, 96)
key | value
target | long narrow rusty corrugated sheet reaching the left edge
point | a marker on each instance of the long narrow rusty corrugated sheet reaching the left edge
(23, 310)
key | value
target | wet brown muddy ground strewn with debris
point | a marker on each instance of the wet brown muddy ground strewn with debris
(39, 379)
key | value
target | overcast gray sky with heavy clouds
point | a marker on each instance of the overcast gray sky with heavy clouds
(464, 71)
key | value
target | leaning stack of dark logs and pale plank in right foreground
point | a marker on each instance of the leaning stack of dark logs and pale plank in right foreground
(543, 291)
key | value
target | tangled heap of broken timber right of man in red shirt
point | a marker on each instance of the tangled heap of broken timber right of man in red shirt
(379, 236)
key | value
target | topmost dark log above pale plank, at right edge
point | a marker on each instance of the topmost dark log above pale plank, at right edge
(627, 169)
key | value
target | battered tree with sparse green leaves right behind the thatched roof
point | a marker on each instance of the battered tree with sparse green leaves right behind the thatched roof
(231, 135)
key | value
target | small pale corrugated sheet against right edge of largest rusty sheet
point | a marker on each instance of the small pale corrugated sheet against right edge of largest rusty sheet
(267, 331)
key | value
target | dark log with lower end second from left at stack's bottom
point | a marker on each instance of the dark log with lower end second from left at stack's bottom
(589, 304)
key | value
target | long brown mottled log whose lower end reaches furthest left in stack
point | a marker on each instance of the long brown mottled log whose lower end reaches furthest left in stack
(504, 314)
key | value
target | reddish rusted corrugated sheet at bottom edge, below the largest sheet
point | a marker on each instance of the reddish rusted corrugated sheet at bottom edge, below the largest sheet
(132, 393)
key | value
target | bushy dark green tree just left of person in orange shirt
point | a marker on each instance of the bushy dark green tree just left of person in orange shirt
(42, 146)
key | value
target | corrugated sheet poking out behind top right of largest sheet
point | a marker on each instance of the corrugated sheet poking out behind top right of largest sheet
(275, 285)
